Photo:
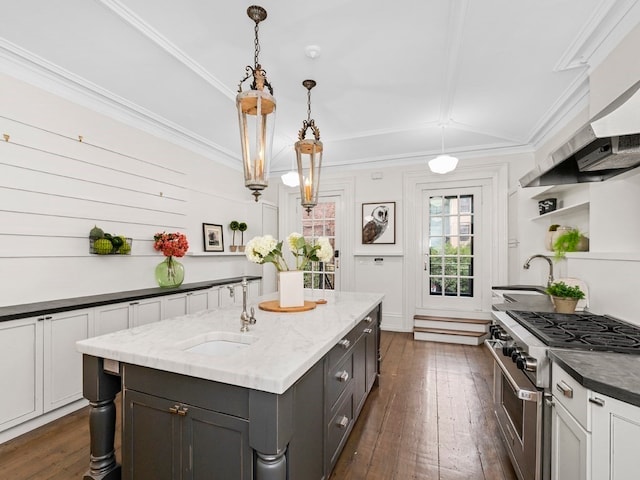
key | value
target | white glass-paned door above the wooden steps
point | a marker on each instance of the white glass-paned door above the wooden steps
(451, 230)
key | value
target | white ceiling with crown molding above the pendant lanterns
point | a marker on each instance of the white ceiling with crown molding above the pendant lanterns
(500, 74)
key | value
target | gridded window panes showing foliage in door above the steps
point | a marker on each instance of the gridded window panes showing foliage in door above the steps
(451, 253)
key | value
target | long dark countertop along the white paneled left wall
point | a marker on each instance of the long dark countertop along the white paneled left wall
(14, 312)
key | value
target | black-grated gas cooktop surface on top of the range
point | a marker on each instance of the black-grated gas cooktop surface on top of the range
(585, 331)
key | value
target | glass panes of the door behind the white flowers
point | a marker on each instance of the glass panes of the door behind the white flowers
(320, 222)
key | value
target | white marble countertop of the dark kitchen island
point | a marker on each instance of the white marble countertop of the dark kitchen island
(283, 345)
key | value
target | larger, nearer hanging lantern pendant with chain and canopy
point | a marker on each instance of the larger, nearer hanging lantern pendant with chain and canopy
(256, 115)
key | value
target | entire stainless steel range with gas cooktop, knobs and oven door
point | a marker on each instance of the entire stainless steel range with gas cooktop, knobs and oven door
(522, 374)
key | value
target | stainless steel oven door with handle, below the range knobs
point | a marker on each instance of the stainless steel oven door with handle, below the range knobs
(518, 405)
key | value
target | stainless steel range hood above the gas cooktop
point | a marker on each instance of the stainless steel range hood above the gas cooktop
(608, 146)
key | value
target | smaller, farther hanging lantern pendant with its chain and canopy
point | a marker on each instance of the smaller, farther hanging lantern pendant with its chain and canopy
(309, 156)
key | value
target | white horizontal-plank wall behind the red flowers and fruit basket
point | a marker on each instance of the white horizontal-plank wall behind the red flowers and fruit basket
(65, 168)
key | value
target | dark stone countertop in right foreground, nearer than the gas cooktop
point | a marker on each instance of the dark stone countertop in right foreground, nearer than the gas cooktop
(616, 375)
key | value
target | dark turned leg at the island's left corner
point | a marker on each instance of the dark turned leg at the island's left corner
(100, 388)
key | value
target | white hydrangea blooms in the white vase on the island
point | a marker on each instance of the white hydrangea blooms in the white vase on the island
(267, 249)
